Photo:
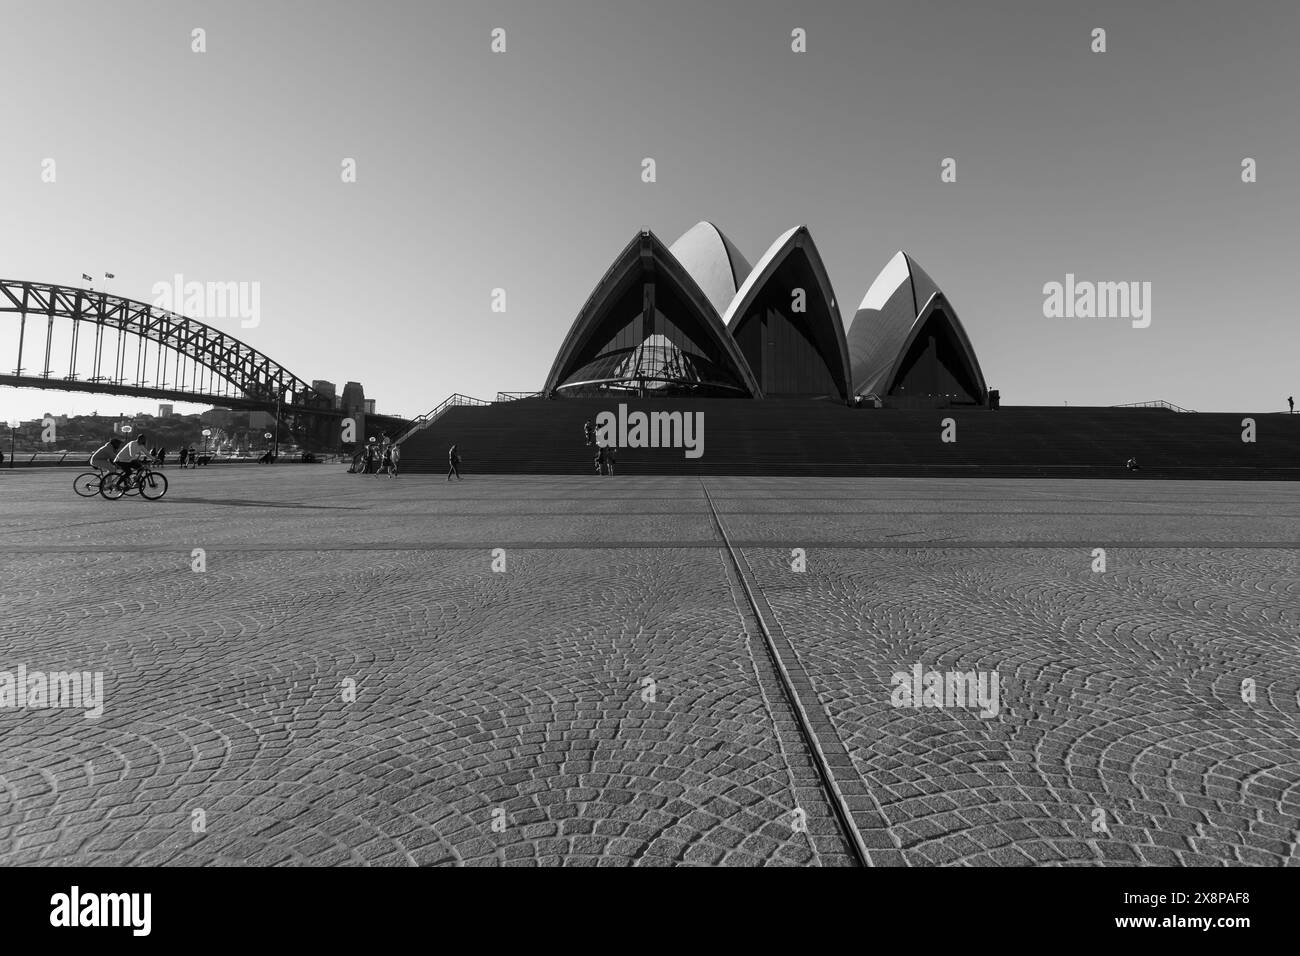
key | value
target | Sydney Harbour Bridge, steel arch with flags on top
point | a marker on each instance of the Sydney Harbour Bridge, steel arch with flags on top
(81, 340)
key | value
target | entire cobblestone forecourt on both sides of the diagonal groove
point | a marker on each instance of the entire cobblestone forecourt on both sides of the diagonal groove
(526, 693)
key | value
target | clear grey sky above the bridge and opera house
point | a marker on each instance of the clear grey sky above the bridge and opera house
(523, 171)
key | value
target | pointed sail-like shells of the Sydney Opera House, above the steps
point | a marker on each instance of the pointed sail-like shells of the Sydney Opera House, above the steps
(696, 319)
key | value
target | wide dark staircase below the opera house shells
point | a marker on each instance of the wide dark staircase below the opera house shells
(813, 438)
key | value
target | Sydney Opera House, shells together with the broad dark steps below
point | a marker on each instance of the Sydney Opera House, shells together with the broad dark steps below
(675, 335)
